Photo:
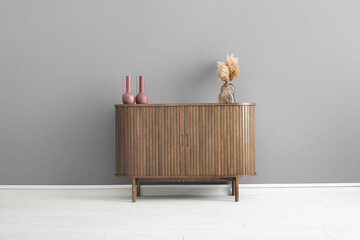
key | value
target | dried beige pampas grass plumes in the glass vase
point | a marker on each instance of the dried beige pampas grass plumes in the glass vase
(228, 70)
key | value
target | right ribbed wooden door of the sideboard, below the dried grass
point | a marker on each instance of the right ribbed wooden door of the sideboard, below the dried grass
(219, 140)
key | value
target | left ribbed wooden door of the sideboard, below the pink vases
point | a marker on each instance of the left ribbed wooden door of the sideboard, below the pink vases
(150, 141)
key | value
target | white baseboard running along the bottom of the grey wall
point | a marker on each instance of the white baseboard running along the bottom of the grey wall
(281, 185)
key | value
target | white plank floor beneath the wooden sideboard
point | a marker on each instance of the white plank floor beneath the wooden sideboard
(107, 213)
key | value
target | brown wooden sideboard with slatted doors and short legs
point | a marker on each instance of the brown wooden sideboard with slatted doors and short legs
(185, 142)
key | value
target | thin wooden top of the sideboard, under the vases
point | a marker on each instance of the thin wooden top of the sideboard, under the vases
(184, 104)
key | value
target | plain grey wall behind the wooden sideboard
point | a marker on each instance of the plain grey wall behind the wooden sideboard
(61, 64)
